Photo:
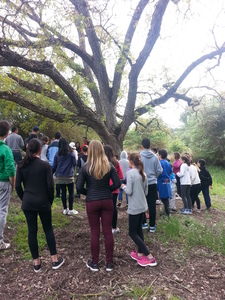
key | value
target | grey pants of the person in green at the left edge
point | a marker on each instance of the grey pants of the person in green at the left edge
(5, 192)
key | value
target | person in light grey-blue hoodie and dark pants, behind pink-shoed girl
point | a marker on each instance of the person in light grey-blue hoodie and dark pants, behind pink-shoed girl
(153, 169)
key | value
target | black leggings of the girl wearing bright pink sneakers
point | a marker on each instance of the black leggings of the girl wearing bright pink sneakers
(136, 232)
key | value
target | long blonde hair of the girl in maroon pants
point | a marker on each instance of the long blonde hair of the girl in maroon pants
(99, 164)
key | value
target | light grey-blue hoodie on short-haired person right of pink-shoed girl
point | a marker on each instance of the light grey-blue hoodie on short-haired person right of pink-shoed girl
(152, 166)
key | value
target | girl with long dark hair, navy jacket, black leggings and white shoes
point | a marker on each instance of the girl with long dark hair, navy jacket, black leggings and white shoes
(63, 166)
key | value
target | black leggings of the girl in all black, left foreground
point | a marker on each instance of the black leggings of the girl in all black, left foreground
(46, 220)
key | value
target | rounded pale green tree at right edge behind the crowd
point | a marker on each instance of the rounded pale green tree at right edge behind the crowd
(204, 131)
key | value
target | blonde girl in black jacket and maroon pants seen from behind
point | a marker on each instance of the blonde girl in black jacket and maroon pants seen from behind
(96, 173)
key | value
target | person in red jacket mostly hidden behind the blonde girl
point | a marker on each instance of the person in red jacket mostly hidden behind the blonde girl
(112, 158)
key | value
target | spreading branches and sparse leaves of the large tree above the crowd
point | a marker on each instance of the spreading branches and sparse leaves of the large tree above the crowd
(68, 62)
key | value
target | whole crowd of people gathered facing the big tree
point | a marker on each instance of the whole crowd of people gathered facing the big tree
(144, 177)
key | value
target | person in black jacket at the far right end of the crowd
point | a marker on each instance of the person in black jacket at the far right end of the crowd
(206, 182)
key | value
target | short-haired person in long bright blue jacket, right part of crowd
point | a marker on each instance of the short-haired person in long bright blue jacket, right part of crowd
(163, 181)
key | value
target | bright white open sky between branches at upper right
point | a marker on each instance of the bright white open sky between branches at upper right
(182, 41)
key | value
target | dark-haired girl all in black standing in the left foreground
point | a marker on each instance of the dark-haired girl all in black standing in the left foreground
(37, 197)
